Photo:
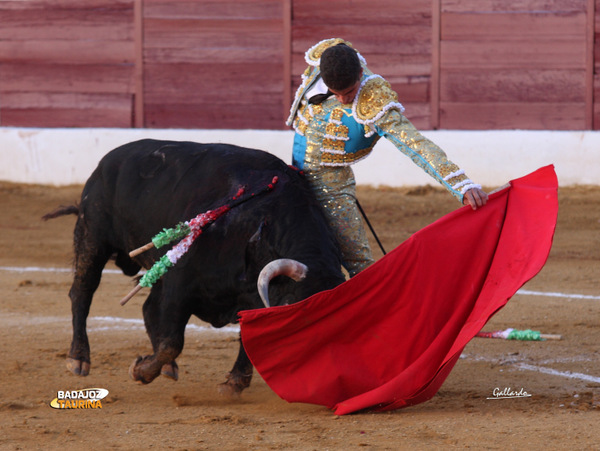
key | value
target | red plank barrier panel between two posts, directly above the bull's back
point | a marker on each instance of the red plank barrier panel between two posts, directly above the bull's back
(212, 64)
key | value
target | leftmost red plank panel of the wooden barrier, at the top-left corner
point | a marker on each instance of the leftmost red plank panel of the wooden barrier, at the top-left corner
(66, 63)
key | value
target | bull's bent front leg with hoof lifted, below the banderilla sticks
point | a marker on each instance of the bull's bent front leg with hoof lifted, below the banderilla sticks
(167, 328)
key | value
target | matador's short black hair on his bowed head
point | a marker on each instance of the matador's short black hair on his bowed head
(340, 67)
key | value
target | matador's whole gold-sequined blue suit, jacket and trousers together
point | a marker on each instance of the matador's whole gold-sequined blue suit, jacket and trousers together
(330, 151)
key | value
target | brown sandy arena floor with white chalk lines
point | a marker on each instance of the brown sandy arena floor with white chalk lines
(563, 377)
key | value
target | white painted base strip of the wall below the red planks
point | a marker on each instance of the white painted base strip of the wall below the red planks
(492, 158)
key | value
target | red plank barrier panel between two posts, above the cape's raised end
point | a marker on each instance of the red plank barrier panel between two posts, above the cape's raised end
(513, 64)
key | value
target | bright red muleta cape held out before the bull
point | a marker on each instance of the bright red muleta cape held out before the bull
(389, 337)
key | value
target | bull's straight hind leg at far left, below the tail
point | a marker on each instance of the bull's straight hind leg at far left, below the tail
(88, 271)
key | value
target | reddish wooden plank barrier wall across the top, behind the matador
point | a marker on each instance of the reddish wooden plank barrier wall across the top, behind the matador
(456, 64)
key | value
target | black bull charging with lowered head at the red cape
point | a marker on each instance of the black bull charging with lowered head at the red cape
(142, 187)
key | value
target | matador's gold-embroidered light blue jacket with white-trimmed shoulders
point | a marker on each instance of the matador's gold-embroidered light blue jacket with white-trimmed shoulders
(333, 134)
